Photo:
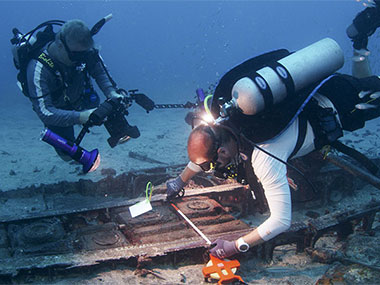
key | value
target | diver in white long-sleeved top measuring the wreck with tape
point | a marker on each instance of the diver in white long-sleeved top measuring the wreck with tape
(339, 102)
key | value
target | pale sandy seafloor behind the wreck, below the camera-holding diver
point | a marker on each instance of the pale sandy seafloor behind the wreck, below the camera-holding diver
(26, 160)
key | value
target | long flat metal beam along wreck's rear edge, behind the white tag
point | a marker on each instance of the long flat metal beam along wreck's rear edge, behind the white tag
(82, 196)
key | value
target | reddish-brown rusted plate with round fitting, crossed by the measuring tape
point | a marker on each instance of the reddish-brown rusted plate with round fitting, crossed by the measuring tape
(208, 215)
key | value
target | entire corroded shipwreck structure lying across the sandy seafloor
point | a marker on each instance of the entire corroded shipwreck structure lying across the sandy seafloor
(73, 225)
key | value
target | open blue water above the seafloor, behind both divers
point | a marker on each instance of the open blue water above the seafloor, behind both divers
(167, 49)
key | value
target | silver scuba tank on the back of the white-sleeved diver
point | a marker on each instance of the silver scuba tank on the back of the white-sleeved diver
(272, 84)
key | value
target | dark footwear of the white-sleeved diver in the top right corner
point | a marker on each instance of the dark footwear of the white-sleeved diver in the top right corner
(365, 24)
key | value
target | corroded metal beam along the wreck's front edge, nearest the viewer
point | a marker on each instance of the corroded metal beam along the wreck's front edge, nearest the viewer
(304, 234)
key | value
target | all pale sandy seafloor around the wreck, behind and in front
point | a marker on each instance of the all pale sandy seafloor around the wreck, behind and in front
(25, 161)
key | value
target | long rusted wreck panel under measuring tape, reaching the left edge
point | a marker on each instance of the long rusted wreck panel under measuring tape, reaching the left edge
(111, 234)
